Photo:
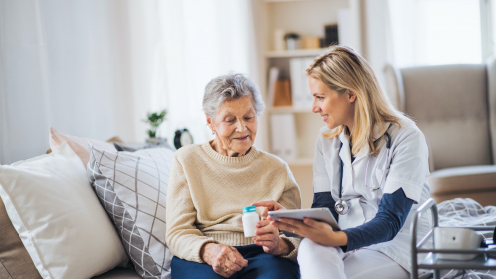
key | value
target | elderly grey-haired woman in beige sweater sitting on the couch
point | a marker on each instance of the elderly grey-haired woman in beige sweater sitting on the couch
(210, 183)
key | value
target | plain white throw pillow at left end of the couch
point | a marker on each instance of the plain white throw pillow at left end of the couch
(58, 216)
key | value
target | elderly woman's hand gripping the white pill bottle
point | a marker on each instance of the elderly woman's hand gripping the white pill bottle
(268, 237)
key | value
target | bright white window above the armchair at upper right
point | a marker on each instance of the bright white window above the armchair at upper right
(433, 32)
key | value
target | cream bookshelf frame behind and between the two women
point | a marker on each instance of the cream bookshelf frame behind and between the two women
(307, 18)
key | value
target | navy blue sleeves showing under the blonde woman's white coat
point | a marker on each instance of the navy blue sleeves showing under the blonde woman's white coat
(393, 211)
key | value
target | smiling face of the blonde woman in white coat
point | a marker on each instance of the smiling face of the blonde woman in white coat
(336, 109)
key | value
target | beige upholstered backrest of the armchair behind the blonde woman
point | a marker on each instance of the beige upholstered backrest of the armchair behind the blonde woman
(450, 106)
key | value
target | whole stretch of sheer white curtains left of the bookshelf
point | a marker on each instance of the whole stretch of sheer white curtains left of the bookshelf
(95, 68)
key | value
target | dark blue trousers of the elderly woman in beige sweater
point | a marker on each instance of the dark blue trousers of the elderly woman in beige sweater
(260, 266)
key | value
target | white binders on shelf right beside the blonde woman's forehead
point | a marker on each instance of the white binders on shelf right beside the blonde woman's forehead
(300, 92)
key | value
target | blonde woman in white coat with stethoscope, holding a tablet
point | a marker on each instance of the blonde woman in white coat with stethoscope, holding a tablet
(370, 170)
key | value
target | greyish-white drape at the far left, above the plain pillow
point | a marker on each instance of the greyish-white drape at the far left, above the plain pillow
(24, 80)
